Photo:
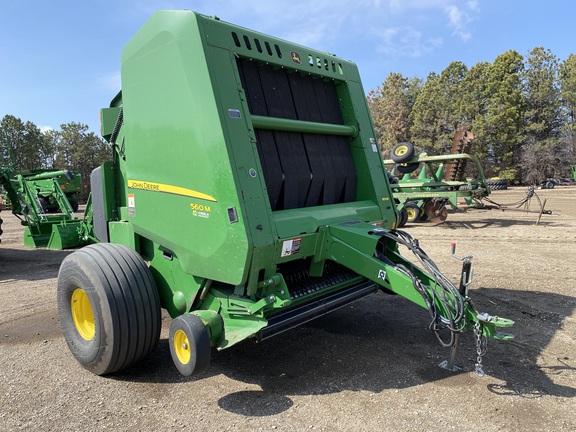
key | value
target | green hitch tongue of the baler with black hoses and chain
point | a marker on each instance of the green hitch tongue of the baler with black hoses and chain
(373, 253)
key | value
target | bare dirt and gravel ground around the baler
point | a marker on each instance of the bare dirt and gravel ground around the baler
(371, 366)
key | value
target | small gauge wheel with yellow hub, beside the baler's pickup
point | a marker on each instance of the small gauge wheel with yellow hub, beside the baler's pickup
(189, 345)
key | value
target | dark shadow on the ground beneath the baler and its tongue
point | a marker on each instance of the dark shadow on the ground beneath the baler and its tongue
(381, 342)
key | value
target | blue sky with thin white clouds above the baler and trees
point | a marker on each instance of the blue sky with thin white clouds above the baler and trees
(60, 59)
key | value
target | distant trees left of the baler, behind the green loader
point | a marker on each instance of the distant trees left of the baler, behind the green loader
(72, 147)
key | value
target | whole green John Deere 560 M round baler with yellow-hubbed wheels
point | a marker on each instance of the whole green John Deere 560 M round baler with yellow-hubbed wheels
(246, 195)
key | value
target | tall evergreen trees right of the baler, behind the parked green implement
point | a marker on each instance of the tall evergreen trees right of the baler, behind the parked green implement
(520, 110)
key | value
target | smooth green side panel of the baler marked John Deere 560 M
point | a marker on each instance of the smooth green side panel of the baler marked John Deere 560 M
(179, 177)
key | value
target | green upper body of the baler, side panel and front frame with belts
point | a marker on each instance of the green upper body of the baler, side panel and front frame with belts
(191, 89)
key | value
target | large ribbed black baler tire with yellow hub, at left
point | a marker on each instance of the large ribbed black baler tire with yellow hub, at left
(108, 307)
